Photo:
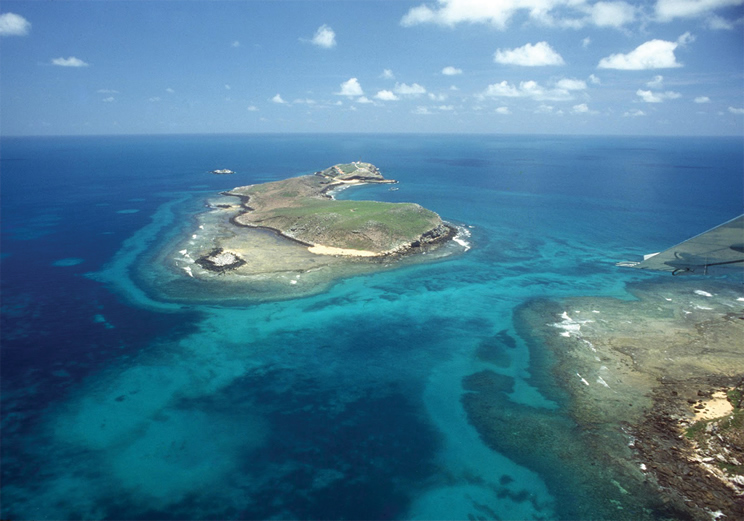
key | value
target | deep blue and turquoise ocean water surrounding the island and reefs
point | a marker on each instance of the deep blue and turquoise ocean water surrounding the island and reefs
(120, 404)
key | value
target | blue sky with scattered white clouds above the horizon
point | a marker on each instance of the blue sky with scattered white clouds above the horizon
(661, 67)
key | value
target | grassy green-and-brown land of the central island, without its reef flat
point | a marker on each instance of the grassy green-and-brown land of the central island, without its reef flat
(301, 209)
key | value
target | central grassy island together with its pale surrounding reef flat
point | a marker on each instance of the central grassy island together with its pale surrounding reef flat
(292, 238)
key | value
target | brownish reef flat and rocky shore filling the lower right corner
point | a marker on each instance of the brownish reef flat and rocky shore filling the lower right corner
(653, 387)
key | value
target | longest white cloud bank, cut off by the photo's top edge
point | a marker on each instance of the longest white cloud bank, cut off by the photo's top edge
(551, 13)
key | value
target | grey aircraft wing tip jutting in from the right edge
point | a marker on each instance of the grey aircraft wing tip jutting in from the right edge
(717, 251)
